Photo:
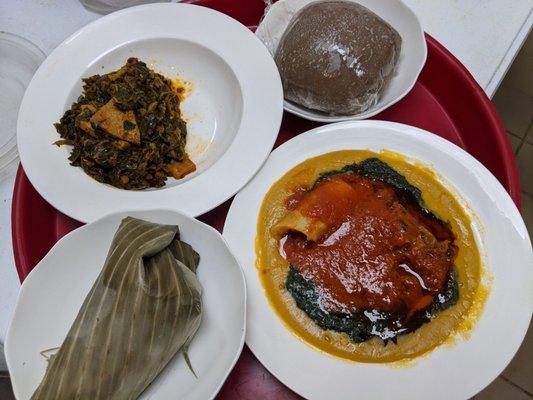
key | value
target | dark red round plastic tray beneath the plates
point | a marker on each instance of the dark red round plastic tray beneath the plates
(446, 100)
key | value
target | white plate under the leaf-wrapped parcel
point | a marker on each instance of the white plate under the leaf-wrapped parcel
(54, 291)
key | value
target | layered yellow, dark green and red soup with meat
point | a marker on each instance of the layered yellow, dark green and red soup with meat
(368, 257)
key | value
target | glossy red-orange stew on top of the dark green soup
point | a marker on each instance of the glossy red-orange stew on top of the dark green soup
(377, 253)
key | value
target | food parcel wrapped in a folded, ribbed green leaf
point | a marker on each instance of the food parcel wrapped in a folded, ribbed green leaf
(144, 307)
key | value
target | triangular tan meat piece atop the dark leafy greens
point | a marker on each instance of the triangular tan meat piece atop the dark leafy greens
(120, 124)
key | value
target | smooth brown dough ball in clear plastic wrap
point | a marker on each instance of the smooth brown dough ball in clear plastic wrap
(337, 57)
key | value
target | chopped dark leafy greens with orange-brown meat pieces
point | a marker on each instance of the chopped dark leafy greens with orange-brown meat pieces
(127, 130)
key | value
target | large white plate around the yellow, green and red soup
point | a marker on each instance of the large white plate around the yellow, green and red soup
(458, 371)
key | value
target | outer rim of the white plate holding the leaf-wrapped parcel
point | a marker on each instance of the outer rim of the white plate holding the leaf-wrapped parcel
(138, 213)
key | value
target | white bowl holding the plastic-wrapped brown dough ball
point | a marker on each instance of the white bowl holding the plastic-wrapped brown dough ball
(397, 14)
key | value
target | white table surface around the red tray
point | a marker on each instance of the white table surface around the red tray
(484, 34)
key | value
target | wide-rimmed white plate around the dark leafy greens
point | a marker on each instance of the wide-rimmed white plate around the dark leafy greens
(234, 112)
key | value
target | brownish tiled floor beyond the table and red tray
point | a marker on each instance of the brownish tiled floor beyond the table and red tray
(514, 101)
